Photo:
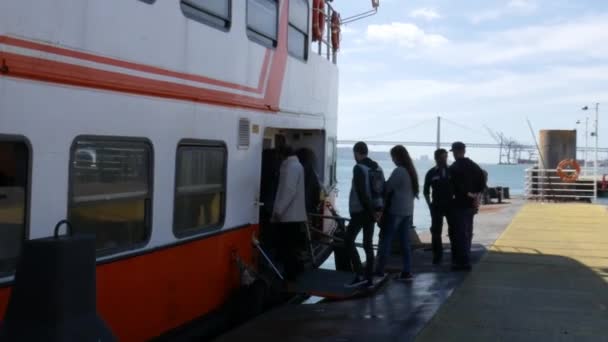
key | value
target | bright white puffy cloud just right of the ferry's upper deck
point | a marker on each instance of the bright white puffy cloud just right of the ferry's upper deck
(405, 34)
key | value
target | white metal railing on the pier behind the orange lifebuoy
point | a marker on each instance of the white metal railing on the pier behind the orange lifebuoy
(546, 185)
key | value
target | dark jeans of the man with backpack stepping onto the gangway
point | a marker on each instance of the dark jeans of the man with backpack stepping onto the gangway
(358, 222)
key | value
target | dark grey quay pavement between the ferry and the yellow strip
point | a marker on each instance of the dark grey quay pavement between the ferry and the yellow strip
(397, 311)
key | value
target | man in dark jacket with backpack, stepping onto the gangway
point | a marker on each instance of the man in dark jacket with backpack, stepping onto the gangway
(363, 214)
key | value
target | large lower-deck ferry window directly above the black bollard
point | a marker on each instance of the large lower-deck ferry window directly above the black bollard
(111, 192)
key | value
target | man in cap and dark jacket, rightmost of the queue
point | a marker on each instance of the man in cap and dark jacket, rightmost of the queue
(468, 182)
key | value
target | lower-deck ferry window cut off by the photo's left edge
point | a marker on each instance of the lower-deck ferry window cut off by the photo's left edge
(14, 189)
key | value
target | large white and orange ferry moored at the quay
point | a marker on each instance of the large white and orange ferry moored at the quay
(144, 122)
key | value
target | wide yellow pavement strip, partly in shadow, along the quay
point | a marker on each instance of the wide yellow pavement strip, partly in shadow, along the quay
(545, 279)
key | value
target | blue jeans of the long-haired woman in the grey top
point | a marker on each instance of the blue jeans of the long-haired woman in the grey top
(400, 225)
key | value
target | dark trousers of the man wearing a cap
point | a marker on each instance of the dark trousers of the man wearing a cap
(462, 235)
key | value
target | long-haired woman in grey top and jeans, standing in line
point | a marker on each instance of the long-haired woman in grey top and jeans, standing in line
(400, 190)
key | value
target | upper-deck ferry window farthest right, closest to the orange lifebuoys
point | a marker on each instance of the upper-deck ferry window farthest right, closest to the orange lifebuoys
(297, 40)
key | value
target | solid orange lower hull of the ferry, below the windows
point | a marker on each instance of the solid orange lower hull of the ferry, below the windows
(145, 296)
